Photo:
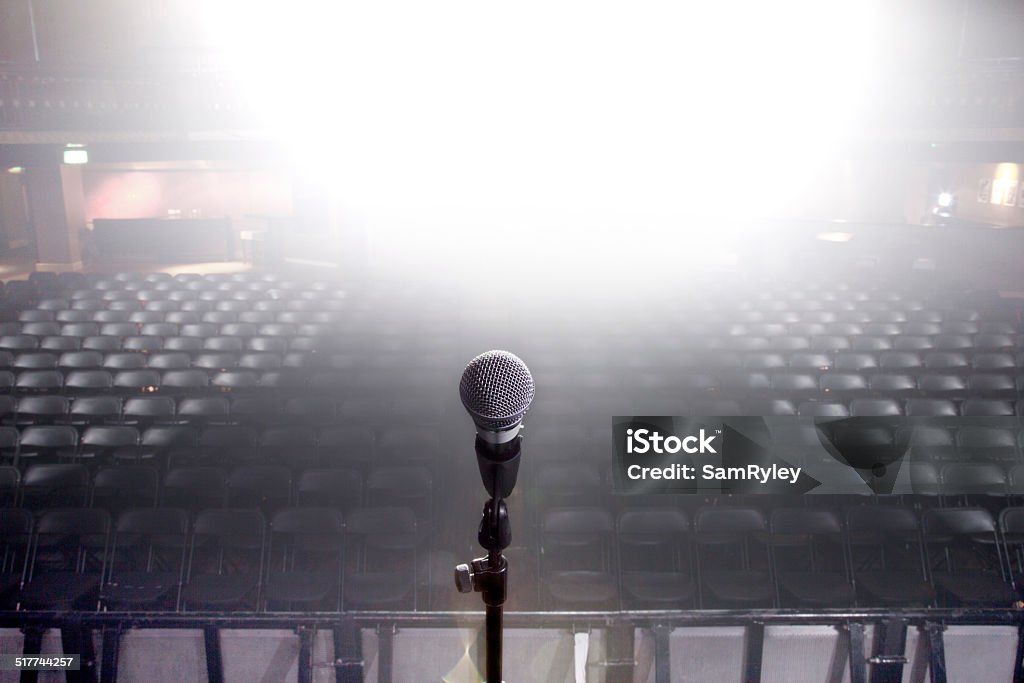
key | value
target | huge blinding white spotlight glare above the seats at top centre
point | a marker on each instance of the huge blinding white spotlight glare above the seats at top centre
(452, 127)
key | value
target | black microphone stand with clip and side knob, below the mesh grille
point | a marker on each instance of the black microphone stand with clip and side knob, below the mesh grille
(489, 576)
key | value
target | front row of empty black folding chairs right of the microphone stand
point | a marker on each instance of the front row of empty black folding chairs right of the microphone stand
(798, 558)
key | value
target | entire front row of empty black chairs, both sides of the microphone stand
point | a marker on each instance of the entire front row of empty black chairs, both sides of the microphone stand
(224, 559)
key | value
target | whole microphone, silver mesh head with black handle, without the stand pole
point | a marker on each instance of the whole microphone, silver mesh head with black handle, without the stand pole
(497, 391)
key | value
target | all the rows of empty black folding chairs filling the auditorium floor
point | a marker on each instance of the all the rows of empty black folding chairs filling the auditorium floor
(259, 404)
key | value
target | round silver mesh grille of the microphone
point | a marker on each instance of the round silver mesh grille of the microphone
(496, 389)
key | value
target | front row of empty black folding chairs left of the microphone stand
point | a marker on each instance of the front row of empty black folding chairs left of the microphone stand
(224, 559)
